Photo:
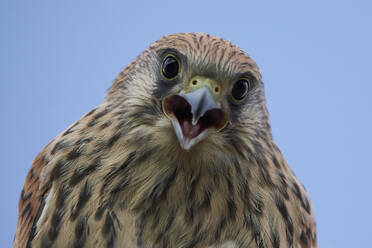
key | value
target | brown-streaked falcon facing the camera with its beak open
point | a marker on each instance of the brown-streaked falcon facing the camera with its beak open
(179, 154)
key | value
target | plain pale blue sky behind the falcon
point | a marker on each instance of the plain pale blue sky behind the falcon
(58, 59)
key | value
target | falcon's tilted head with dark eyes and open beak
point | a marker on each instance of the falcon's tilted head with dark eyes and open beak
(194, 89)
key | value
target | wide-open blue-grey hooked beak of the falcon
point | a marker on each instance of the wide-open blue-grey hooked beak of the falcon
(194, 115)
